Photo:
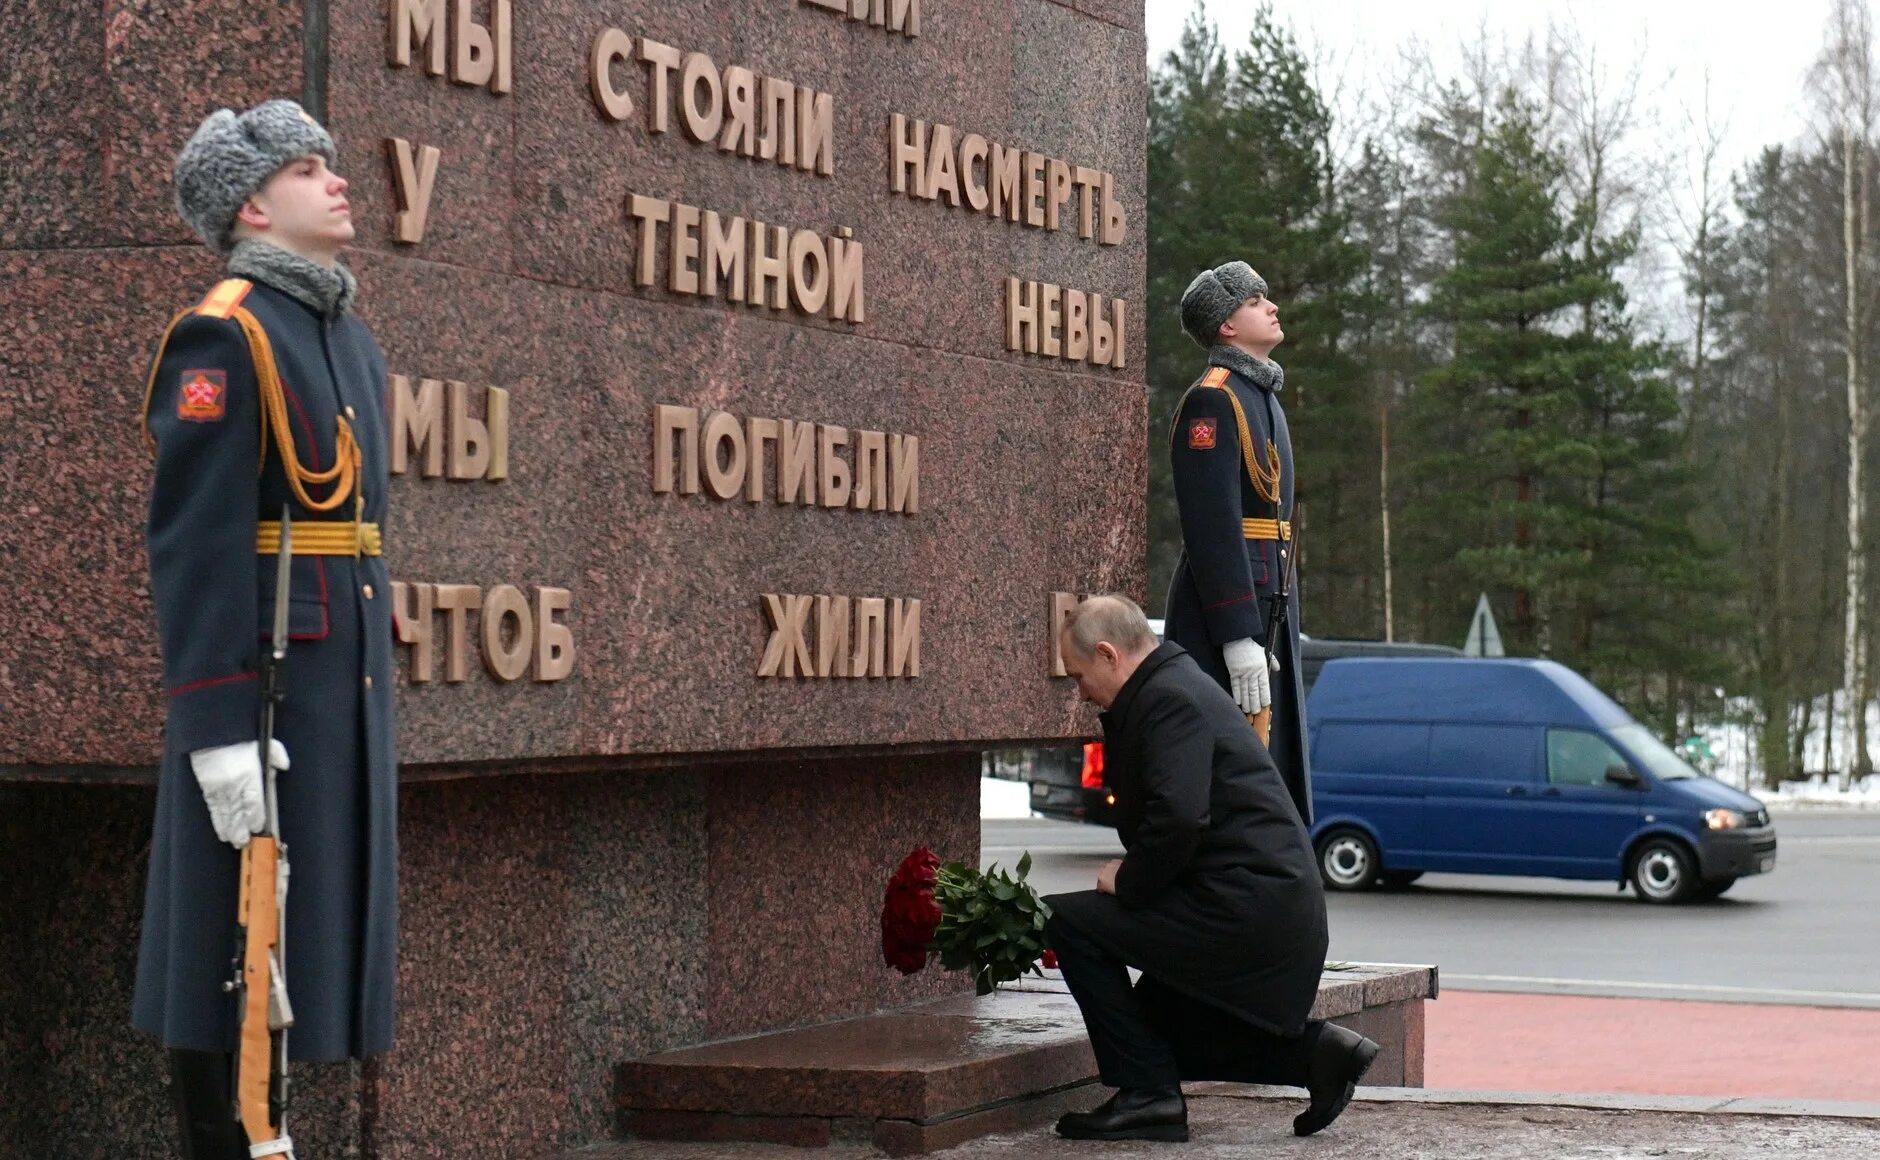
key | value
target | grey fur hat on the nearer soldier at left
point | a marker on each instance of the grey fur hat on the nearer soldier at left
(230, 159)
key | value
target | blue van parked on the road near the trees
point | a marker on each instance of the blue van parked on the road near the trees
(1512, 768)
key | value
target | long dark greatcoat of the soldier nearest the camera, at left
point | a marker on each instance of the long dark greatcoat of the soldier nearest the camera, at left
(215, 601)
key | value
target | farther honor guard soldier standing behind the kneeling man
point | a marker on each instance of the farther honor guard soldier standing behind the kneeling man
(1232, 603)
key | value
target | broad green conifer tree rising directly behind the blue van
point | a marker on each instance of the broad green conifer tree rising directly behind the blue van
(1552, 463)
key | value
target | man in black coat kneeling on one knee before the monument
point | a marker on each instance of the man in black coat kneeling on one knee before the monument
(1217, 901)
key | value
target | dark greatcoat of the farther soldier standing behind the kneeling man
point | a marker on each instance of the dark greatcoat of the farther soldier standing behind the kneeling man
(1225, 586)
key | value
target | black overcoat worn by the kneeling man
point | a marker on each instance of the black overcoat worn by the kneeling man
(1219, 894)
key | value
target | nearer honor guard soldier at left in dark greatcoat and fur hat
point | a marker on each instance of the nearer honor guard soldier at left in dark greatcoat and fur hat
(268, 398)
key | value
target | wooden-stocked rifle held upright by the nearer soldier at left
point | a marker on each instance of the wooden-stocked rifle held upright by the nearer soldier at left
(260, 980)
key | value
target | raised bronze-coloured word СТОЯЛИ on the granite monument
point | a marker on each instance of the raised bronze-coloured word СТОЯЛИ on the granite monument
(736, 108)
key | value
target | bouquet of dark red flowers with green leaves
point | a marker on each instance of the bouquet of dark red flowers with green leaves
(986, 922)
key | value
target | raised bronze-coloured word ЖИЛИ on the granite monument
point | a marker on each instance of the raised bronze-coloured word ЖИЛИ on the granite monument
(862, 636)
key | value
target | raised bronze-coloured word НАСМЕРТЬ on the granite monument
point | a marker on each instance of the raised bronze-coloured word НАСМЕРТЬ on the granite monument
(1003, 183)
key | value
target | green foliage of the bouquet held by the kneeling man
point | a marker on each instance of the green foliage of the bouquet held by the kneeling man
(990, 924)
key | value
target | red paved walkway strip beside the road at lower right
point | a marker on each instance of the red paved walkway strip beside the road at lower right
(1646, 1046)
